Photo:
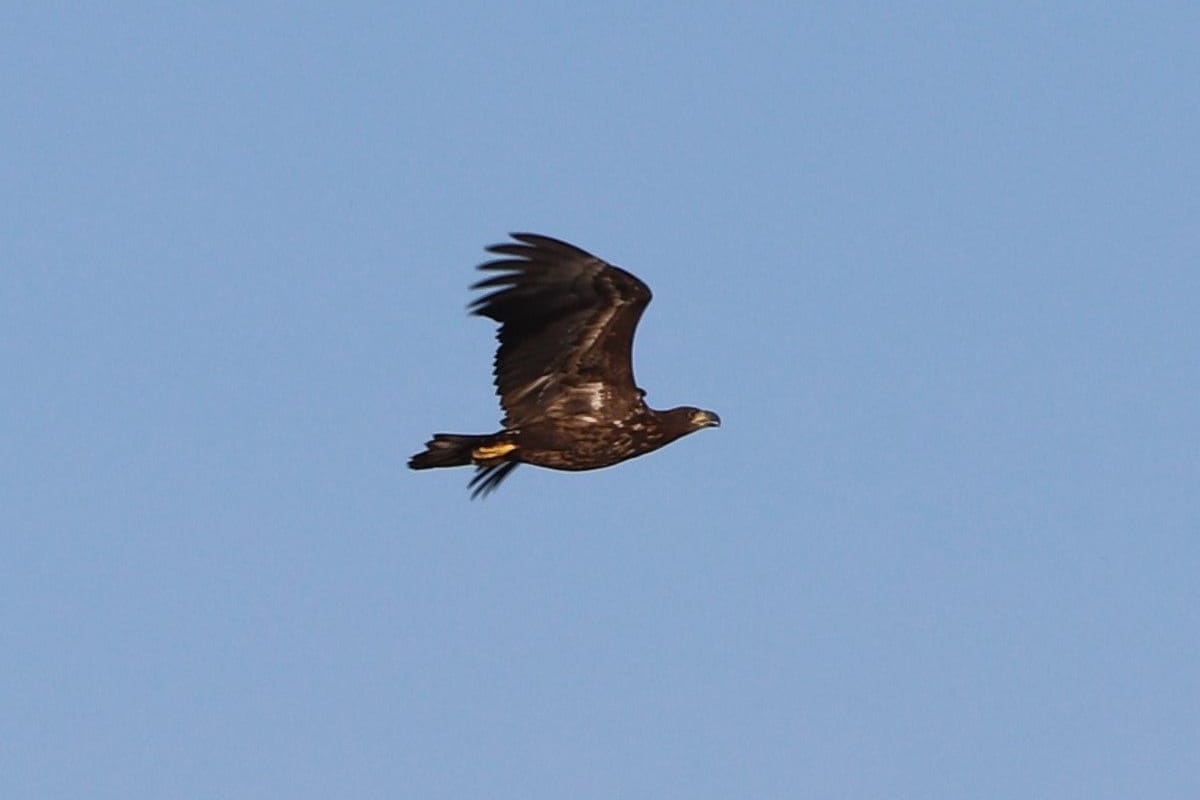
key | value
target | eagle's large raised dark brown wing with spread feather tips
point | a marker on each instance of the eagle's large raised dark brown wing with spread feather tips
(567, 330)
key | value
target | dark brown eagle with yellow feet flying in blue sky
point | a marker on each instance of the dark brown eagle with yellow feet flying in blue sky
(563, 370)
